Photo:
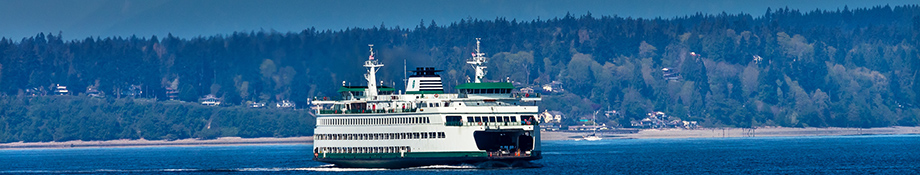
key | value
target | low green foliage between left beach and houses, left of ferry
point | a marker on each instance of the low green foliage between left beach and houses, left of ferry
(64, 118)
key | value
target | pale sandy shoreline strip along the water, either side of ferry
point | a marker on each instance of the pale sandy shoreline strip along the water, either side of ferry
(545, 135)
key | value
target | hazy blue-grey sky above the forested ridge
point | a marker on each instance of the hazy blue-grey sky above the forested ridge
(78, 19)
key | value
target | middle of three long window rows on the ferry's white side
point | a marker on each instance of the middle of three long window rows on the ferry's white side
(380, 136)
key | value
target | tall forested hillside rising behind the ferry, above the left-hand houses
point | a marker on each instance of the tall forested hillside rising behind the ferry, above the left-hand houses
(786, 67)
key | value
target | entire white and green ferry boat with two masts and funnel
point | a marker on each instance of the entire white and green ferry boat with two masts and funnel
(485, 124)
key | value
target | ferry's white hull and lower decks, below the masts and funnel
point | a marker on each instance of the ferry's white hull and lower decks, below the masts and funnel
(367, 147)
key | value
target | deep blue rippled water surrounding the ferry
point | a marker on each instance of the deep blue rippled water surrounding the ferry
(899, 154)
